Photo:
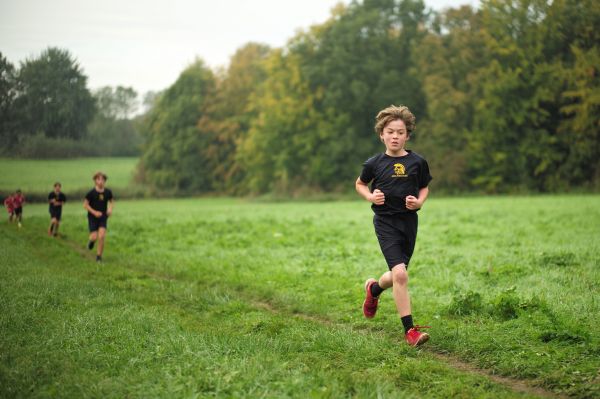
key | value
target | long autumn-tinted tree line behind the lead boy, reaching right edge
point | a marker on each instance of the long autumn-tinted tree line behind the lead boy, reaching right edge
(507, 99)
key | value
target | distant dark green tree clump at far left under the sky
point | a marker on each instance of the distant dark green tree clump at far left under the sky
(47, 111)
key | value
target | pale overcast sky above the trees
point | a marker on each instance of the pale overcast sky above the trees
(147, 43)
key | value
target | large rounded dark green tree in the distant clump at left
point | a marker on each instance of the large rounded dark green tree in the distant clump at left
(52, 97)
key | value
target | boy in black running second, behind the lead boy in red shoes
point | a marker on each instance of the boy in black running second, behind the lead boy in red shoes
(99, 204)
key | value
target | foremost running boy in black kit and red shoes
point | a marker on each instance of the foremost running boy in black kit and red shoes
(399, 180)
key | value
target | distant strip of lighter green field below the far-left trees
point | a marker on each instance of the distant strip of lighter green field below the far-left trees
(38, 176)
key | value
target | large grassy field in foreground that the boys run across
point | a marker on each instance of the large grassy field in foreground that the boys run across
(226, 298)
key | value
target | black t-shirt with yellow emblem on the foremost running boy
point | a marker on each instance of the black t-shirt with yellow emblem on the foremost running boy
(397, 178)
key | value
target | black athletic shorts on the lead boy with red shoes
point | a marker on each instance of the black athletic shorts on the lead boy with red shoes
(397, 235)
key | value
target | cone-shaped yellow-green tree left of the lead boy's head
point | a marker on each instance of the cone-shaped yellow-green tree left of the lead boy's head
(278, 154)
